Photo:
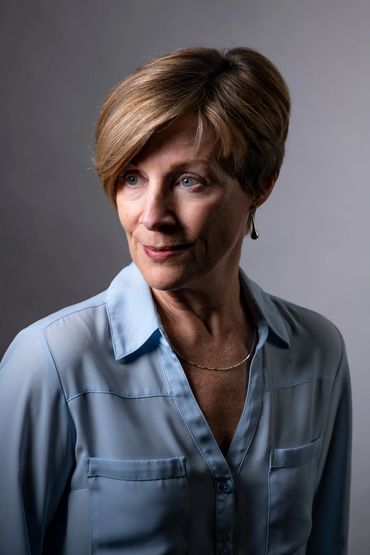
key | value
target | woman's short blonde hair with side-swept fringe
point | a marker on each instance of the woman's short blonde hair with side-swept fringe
(238, 94)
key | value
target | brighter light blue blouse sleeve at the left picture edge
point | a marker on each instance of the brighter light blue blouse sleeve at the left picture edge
(36, 443)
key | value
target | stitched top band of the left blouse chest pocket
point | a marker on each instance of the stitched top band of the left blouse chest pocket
(148, 469)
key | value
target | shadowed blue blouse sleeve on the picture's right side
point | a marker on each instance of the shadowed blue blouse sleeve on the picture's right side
(329, 535)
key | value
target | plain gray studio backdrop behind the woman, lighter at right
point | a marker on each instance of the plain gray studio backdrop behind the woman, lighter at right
(60, 239)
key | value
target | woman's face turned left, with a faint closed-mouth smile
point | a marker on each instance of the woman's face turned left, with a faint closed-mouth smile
(184, 217)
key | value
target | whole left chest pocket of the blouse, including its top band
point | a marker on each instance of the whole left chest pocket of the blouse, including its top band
(138, 506)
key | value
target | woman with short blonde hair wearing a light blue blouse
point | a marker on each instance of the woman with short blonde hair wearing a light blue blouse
(183, 410)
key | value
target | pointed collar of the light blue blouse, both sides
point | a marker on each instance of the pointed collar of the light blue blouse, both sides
(133, 319)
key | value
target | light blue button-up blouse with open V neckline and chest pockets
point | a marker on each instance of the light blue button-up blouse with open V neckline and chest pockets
(105, 450)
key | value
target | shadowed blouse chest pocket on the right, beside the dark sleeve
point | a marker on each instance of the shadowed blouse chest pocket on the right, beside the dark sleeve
(292, 477)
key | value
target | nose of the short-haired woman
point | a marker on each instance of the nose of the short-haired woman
(157, 210)
